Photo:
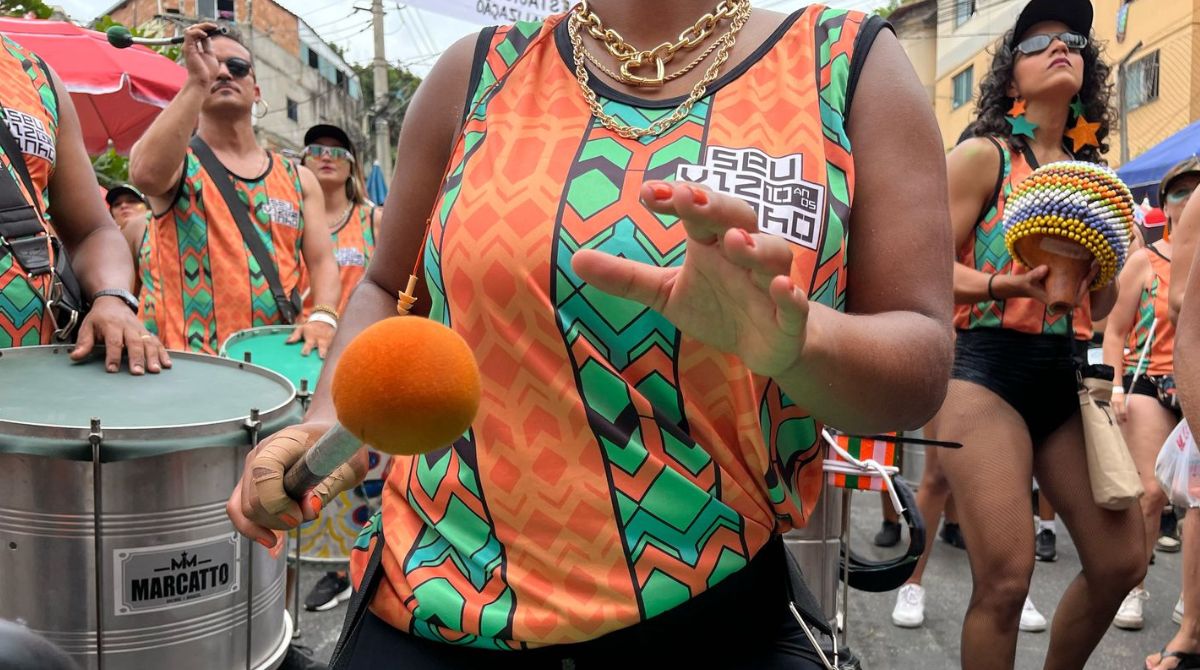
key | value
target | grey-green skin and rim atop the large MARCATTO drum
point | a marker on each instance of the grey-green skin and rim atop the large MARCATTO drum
(49, 399)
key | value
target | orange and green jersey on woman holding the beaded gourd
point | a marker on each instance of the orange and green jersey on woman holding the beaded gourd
(986, 252)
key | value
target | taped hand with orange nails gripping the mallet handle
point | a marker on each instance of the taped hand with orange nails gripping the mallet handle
(260, 507)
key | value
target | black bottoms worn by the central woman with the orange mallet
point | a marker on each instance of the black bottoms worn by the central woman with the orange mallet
(743, 623)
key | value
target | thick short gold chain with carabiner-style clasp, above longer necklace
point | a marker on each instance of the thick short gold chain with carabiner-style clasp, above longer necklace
(633, 59)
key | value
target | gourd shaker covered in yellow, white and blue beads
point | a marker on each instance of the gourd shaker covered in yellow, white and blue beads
(1067, 216)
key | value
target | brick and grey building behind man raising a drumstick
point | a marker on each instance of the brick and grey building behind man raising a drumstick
(303, 80)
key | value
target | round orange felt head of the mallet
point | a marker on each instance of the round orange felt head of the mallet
(407, 386)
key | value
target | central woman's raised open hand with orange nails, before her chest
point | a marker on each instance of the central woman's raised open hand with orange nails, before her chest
(734, 291)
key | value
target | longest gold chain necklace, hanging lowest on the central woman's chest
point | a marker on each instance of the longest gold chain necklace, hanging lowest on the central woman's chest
(608, 121)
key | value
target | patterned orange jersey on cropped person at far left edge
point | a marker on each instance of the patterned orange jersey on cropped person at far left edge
(31, 109)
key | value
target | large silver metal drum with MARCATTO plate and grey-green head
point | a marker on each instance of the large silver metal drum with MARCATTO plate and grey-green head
(115, 542)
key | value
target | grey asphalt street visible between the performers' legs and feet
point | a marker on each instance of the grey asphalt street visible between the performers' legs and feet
(883, 647)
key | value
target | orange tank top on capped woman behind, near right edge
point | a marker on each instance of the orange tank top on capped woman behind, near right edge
(1154, 325)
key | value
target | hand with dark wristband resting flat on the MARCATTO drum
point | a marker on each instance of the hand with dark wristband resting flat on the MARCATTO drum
(112, 325)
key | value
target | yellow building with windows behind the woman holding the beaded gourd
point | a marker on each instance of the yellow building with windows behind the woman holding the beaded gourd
(1161, 83)
